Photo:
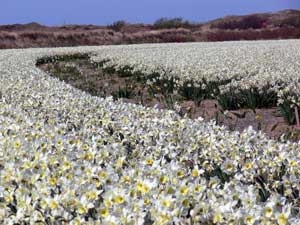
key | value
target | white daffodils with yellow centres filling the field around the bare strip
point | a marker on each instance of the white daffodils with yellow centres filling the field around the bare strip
(69, 158)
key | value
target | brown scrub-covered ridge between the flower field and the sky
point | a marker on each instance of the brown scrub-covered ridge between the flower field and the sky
(279, 25)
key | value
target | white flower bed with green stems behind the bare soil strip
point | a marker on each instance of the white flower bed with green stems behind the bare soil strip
(238, 74)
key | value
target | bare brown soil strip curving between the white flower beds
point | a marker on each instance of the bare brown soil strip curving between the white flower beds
(92, 79)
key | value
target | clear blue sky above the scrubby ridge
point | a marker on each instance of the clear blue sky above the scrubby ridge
(58, 12)
